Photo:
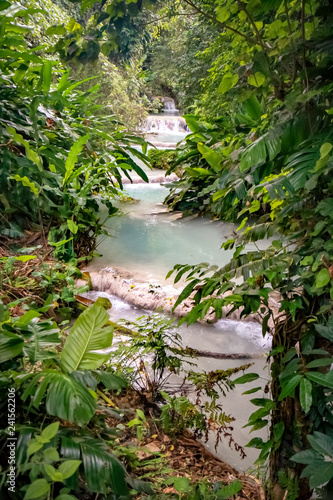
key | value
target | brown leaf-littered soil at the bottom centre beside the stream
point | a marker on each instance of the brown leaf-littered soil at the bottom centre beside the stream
(184, 456)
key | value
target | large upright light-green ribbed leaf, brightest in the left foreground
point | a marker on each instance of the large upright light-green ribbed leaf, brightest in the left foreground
(85, 338)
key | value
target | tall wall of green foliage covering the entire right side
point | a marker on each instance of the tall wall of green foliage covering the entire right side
(269, 156)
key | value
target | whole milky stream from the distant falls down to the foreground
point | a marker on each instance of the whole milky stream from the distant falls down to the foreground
(148, 241)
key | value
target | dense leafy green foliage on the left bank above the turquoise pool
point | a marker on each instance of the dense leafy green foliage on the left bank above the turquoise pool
(58, 163)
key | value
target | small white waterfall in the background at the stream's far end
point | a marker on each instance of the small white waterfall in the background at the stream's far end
(167, 128)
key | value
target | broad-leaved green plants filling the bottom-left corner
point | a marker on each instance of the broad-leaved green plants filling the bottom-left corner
(70, 395)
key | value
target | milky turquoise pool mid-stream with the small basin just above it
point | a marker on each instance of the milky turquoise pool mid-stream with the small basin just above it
(151, 241)
